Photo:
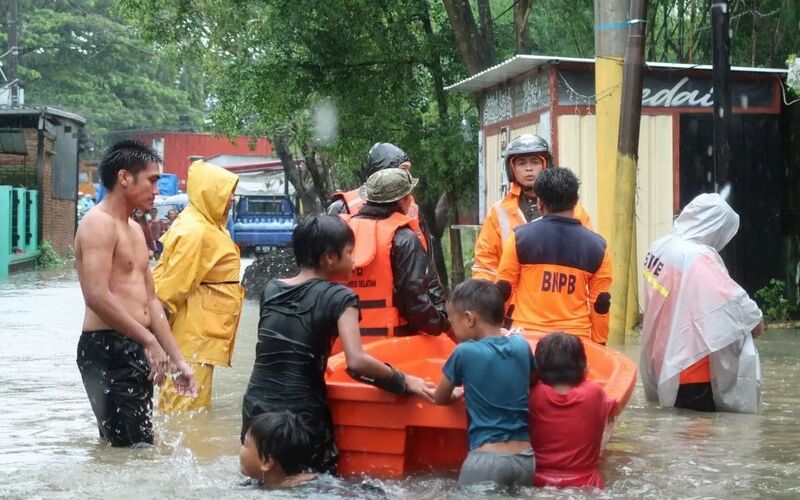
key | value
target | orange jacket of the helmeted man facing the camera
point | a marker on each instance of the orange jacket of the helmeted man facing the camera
(503, 217)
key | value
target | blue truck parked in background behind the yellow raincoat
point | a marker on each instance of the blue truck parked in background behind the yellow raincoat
(262, 222)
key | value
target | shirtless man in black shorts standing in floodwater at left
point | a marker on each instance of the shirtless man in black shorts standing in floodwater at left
(121, 352)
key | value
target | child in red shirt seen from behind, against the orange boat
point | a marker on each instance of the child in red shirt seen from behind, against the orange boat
(568, 415)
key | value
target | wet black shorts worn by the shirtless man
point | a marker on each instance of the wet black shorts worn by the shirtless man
(114, 370)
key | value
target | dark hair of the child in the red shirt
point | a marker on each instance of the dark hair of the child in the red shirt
(560, 359)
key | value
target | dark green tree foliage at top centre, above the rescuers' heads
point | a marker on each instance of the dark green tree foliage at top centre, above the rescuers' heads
(383, 65)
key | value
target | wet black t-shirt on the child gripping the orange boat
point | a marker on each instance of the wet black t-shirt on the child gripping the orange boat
(296, 331)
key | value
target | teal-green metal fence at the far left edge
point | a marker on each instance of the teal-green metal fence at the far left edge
(19, 230)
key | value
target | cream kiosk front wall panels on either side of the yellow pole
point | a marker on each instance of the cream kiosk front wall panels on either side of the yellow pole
(576, 149)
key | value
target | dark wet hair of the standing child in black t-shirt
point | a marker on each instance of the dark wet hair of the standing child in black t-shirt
(317, 235)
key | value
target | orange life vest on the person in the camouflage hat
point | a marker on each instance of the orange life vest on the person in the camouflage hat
(372, 278)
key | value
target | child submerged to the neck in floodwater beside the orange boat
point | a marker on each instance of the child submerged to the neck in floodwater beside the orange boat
(275, 451)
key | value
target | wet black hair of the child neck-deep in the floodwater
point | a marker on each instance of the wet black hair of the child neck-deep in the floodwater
(284, 437)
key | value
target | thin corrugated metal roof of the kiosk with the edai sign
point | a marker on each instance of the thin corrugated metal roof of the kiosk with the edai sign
(520, 64)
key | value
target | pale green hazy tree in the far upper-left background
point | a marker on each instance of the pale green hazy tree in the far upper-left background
(77, 55)
